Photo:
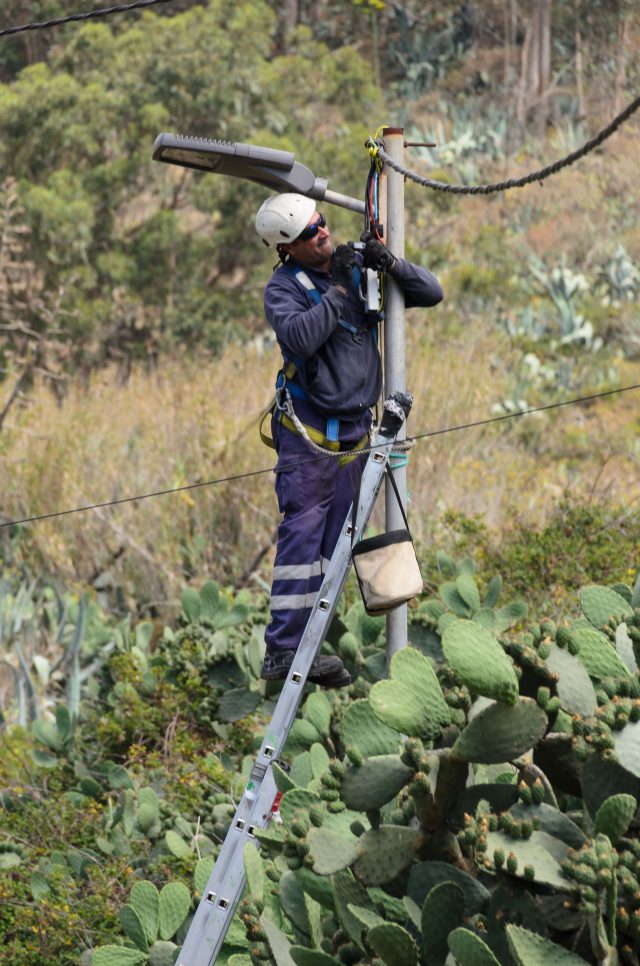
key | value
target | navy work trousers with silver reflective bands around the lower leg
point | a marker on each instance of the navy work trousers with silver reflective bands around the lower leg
(314, 496)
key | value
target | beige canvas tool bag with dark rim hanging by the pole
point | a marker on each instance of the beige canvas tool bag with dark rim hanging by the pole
(386, 565)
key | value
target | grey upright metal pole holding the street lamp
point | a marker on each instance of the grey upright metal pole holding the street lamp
(394, 355)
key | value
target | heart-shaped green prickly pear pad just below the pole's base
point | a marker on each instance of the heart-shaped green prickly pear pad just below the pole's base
(411, 701)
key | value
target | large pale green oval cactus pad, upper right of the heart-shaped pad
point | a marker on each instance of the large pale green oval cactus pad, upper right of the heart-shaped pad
(479, 660)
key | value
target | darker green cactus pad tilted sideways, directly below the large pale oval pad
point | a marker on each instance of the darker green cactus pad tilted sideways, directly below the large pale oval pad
(501, 732)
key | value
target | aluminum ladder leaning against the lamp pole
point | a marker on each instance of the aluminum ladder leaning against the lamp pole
(225, 886)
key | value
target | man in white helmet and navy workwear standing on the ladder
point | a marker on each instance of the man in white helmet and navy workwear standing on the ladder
(332, 376)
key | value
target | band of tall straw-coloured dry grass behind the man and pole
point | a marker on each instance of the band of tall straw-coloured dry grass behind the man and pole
(191, 423)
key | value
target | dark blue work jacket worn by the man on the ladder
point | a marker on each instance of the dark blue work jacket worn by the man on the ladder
(339, 370)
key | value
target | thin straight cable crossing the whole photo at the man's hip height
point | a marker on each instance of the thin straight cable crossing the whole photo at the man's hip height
(315, 459)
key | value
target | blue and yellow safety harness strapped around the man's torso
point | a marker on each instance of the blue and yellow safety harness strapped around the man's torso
(286, 388)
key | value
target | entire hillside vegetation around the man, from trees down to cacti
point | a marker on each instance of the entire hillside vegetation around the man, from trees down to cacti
(135, 361)
